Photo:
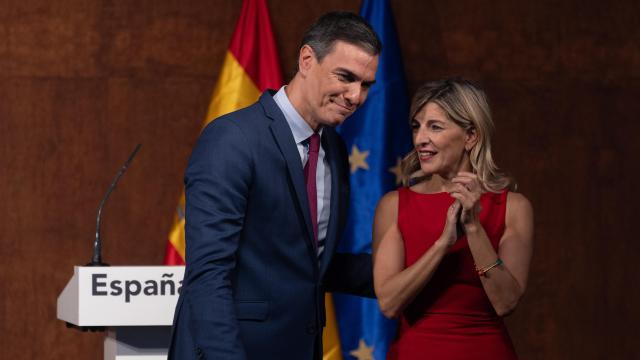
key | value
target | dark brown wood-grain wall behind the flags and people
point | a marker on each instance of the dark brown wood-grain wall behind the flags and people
(82, 82)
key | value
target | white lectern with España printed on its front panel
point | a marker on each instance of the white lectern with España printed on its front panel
(134, 304)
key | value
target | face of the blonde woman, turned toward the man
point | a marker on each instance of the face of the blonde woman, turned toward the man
(440, 143)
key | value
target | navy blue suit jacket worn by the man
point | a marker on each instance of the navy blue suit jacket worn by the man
(254, 286)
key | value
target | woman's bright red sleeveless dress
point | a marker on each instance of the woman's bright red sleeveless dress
(452, 318)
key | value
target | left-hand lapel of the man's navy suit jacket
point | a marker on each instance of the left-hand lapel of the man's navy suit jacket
(284, 139)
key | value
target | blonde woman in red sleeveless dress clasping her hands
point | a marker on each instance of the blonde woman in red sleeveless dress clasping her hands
(452, 249)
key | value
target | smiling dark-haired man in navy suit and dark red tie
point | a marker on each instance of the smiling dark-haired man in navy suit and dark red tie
(267, 189)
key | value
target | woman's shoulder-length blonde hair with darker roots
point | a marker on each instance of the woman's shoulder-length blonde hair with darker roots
(466, 105)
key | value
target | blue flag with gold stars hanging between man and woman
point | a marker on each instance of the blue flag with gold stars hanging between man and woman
(377, 137)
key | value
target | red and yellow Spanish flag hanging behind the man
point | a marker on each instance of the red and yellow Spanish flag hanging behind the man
(250, 67)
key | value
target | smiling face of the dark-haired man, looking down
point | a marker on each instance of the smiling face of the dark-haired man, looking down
(337, 85)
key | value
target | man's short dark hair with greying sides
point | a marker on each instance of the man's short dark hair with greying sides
(343, 26)
